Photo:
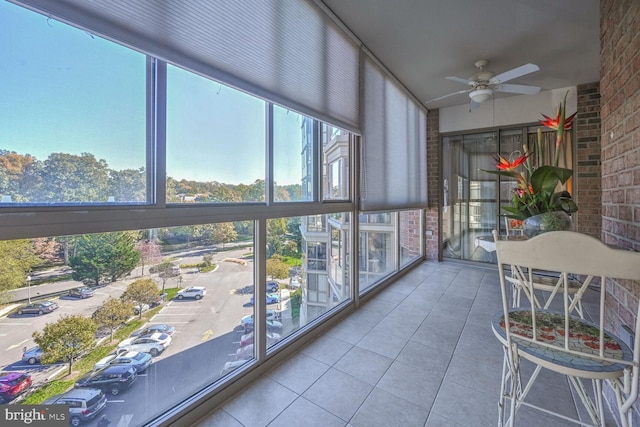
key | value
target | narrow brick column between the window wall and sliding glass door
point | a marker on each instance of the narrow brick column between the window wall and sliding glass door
(433, 184)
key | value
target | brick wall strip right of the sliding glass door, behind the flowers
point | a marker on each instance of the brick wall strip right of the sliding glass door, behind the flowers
(587, 170)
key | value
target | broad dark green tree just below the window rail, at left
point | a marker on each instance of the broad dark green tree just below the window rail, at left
(104, 257)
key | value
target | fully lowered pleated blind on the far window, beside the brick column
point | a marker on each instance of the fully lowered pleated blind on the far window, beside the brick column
(394, 147)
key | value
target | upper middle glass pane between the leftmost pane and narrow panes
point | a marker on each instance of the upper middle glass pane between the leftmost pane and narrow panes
(216, 142)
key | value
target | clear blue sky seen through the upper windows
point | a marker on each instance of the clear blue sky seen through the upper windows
(65, 90)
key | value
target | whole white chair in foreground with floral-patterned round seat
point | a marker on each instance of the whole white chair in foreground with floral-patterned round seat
(558, 341)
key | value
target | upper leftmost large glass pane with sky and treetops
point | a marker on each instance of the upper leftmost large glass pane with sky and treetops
(72, 114)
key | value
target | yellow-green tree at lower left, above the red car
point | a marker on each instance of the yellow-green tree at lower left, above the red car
(67, 339)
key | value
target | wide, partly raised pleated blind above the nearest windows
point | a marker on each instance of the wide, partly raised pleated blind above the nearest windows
(286, 51)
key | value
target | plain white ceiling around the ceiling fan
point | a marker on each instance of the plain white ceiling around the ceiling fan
(423, 41)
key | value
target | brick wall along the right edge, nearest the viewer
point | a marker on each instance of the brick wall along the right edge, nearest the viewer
(620, 115)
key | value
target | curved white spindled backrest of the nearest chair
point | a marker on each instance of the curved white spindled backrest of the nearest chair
(569, 255)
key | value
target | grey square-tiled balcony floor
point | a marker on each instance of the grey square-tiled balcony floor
(421, 353)
